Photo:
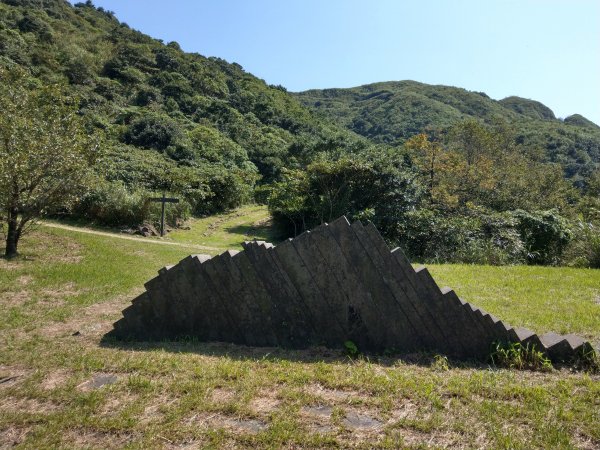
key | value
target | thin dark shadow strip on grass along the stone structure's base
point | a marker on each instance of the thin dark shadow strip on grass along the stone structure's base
(276, 354)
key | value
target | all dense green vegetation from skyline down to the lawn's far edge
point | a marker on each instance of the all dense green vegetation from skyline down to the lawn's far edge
(446, 173)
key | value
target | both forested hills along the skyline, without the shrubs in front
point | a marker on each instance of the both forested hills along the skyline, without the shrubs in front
(171, 115)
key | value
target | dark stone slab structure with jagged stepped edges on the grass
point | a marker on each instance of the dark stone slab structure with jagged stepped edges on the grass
(335, 283)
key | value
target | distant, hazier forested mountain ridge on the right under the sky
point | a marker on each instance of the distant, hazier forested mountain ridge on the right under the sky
(392, 112)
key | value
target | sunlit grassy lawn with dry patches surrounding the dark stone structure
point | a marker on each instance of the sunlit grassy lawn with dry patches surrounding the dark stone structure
(61, 388)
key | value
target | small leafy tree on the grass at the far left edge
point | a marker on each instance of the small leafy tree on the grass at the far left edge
(44, 153)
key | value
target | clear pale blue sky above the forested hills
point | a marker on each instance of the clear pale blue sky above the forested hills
(547, 50)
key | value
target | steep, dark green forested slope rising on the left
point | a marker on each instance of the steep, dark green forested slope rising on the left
(172, 120)
